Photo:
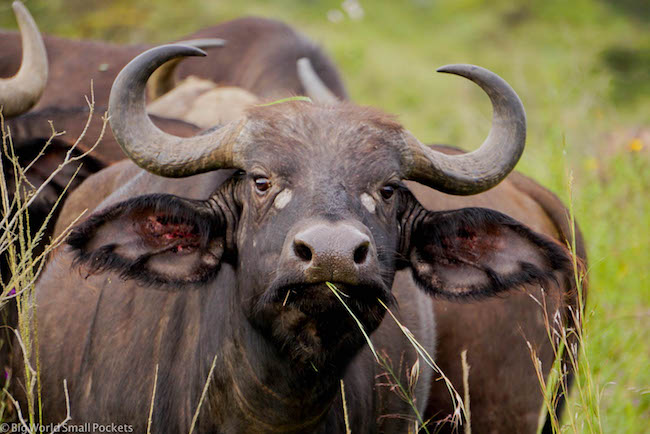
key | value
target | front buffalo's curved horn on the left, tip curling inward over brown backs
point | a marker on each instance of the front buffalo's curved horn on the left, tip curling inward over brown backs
(152, 149)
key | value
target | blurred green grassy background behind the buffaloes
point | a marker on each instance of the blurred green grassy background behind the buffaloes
(582, 69)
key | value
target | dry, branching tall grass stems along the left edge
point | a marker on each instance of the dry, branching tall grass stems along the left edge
(25, 255)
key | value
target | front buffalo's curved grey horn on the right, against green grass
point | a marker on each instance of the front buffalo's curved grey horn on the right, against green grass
(485, 167)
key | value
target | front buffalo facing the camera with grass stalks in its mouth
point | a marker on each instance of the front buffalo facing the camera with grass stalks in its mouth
(209, 261)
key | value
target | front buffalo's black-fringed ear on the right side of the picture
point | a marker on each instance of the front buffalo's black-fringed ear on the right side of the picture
(476, 252)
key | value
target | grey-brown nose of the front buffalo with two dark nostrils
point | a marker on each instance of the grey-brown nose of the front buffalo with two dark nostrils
(332, 252)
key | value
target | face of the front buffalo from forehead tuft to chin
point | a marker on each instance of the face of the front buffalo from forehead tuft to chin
(313, 214)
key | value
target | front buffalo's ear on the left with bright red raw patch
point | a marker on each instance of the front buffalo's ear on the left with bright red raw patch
(156, 239)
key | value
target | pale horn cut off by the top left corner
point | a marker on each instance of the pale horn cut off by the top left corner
(20, 92)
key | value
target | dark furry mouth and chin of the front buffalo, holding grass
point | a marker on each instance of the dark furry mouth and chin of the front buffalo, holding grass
(313, 327)
